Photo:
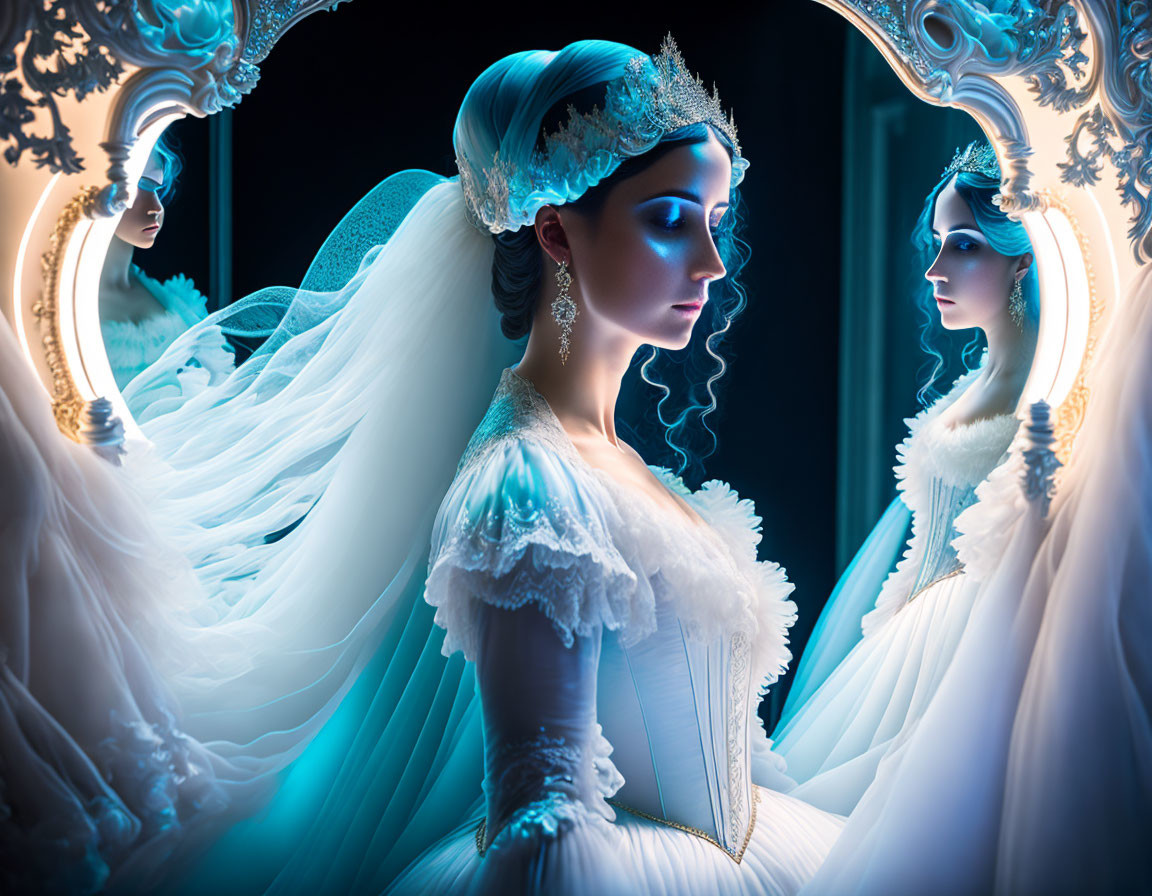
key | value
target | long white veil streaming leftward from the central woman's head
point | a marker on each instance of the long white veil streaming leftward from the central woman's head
(351, 432)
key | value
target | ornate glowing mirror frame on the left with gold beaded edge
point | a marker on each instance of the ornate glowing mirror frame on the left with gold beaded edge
(92, 85)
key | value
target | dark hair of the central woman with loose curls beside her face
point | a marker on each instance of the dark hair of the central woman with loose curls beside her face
(668, 435)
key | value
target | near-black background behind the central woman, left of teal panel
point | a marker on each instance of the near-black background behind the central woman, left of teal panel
(351, 96)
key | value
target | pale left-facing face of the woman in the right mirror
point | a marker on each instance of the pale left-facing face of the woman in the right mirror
(971, 280)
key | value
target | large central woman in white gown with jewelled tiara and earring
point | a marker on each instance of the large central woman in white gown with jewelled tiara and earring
(622, 626)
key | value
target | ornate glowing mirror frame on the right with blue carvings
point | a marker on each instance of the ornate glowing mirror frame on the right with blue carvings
(1062, 89)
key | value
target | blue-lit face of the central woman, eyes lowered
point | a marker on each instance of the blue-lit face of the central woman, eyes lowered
(643, 264)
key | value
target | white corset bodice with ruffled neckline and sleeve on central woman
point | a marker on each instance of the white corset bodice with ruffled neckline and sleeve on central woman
(693, 624)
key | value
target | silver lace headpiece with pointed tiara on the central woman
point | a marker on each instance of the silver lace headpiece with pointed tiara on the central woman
(653, 98)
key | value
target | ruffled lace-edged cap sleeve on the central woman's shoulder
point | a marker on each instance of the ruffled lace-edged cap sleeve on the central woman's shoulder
(521, 526)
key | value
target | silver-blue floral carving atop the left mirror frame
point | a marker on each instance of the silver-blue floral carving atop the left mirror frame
(193, 56)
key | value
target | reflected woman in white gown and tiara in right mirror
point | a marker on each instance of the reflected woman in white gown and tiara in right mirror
(838, 725)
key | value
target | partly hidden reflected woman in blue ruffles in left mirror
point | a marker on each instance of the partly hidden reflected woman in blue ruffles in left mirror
(140, 316)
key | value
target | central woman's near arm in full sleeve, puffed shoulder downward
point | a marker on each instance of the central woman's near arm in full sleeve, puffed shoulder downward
(526, 580)
